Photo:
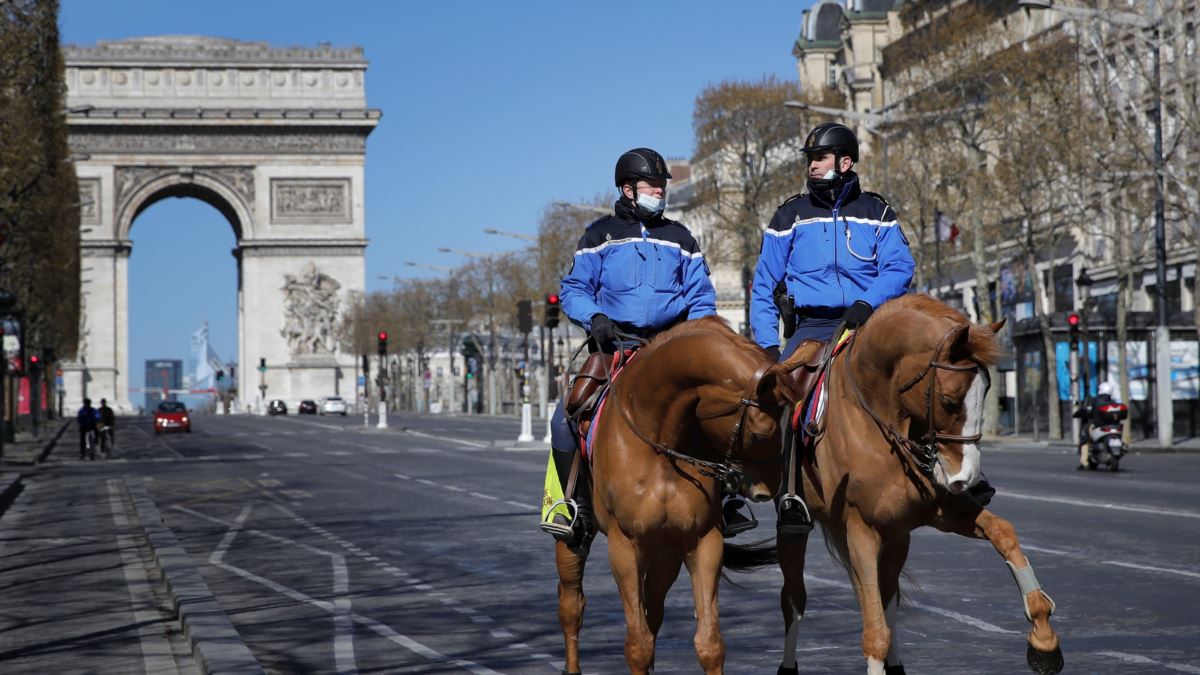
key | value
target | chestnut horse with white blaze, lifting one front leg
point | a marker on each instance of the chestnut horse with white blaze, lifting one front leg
(898, 452)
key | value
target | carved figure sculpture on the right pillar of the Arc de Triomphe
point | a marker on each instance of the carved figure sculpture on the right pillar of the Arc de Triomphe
(311, 307)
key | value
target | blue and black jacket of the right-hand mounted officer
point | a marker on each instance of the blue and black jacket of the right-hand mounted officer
(830, 255)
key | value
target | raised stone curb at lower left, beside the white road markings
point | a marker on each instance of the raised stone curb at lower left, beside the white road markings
(217, 646)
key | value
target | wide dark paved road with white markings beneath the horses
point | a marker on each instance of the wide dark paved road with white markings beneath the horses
(340, 549)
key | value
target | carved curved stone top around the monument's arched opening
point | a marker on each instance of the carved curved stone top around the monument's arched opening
(145, 187)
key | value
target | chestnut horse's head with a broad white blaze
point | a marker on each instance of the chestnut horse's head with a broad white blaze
(943, 393)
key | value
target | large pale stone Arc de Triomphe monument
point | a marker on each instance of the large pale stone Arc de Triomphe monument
(275, 140)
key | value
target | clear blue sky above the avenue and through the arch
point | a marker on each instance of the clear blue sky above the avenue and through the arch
(490, 112)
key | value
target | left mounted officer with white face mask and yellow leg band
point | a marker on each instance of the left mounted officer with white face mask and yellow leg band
(637, 273)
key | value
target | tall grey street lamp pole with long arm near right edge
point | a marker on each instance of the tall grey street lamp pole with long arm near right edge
(1165, 413)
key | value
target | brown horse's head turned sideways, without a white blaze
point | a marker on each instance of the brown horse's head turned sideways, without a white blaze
(743, 411)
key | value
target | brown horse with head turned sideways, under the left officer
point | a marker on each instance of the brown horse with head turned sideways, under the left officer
(697, 409)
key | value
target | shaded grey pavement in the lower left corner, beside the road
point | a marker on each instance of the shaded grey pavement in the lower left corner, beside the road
(92, 583)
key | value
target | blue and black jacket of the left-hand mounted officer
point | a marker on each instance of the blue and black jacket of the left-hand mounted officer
(644, 277)
